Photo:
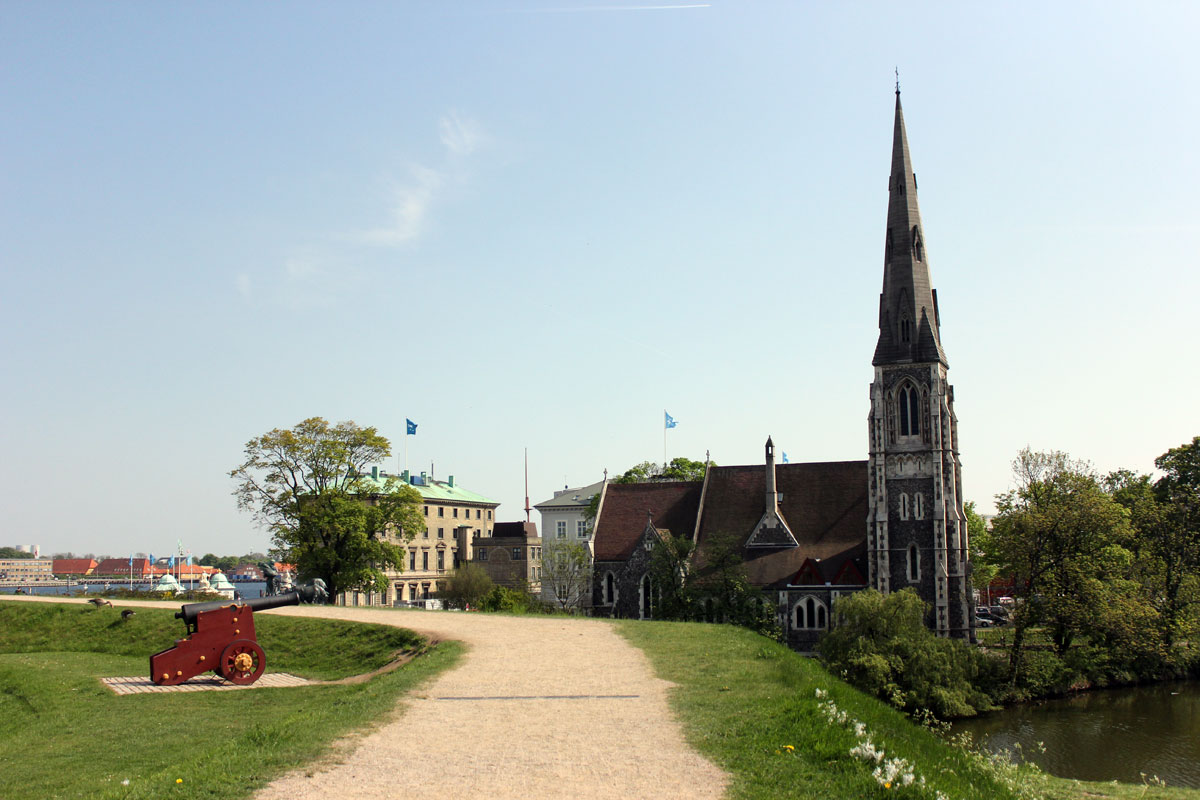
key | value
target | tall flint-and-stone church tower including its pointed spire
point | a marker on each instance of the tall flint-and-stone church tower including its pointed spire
(917, 532)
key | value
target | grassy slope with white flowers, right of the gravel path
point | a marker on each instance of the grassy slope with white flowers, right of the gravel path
(752, 706)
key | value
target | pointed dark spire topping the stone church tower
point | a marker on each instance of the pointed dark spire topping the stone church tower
(909, 324)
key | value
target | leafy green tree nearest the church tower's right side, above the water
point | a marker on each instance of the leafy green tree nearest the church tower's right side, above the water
(1057, 534)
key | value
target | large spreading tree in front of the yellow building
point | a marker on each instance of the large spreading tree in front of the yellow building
(309, 488)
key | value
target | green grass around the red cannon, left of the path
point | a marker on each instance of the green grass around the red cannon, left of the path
(63, 735)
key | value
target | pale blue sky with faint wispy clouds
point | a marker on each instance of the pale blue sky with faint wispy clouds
(539, 226)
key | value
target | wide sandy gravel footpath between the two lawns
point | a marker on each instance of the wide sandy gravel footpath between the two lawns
(538, 708)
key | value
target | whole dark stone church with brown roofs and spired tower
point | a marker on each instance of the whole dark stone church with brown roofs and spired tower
(811, 533)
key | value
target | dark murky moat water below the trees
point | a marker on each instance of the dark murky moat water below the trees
(1118, 735)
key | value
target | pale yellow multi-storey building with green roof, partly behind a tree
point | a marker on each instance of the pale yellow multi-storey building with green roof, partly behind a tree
(454, 518)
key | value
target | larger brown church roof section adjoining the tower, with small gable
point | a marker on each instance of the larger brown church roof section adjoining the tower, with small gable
(825, 506)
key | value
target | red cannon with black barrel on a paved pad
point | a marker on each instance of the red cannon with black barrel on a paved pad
(220, 639)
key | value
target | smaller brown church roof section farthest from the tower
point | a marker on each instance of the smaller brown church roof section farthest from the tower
(673, 506)
